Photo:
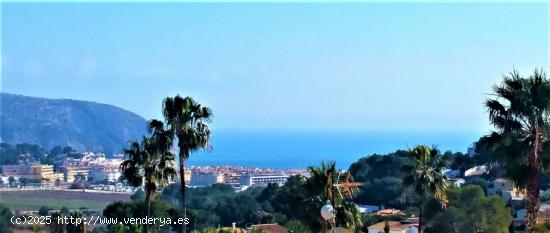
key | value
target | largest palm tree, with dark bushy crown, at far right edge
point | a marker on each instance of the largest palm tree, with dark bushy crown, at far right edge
(520, 113)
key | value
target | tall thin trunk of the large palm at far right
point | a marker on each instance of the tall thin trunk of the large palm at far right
(533, 186)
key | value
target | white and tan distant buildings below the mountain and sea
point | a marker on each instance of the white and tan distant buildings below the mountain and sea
(97, 169)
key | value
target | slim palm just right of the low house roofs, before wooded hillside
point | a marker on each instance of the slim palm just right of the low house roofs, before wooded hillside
(426, 177)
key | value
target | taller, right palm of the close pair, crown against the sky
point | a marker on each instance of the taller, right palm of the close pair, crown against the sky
(186, 119)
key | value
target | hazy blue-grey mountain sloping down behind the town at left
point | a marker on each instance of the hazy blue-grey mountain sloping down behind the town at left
(83, 125)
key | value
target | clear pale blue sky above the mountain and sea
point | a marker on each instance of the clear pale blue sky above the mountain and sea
(268, 66)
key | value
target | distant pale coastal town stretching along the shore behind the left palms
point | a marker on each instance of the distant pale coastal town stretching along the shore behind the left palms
(95, 171)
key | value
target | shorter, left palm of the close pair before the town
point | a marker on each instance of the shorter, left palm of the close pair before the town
(151, 161)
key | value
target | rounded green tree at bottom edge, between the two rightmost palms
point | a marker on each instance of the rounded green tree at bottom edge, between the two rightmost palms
(469, 210)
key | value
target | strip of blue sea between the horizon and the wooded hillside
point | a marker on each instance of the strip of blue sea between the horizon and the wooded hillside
(298, 149)
